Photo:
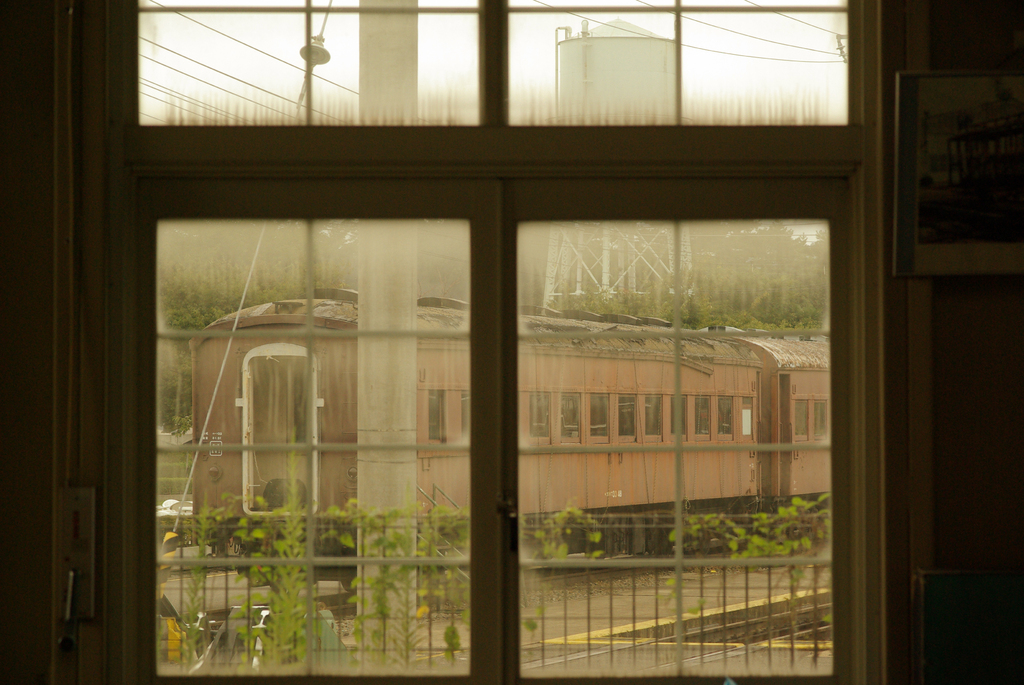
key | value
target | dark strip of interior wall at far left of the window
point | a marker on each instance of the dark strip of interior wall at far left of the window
(27, 211)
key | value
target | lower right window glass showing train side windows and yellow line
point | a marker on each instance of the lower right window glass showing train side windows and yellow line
(649, 556)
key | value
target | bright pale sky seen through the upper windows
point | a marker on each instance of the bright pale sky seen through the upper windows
(245, 67)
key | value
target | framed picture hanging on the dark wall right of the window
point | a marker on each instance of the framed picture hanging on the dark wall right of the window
(960, 174)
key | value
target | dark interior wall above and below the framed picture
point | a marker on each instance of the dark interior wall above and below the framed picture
(978, 361)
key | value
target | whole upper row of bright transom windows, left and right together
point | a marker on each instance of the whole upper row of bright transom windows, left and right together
(733, 64)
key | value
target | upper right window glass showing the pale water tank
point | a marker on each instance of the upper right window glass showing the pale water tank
(727, 68)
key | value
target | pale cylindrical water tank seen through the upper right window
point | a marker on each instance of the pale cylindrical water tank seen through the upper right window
(617, 73)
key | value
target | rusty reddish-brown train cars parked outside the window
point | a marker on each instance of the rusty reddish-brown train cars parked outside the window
(605, 399)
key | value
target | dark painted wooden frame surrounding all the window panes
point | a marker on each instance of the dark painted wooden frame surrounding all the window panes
(502, 177)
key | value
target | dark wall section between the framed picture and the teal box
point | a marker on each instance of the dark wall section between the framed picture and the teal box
(978, 467)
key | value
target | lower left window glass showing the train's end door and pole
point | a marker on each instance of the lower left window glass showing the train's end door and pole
(313, 454)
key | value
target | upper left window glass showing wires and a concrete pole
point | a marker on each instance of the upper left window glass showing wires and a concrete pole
(249, 68)
